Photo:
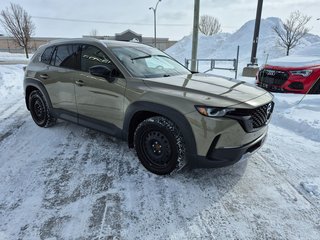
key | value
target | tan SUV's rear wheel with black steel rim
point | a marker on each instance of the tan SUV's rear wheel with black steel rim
(39, 110)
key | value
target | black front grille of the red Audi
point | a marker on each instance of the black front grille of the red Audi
(273, 77)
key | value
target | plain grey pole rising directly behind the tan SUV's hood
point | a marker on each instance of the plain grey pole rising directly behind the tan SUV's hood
(195, 35)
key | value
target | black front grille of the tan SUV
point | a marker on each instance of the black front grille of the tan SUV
(253, 119)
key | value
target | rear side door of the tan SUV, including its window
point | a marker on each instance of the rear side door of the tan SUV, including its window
(61, 88)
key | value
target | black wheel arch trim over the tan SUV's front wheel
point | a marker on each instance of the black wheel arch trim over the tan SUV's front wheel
(157, 109)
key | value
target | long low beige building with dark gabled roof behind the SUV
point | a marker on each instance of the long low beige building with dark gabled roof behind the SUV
(7, 44)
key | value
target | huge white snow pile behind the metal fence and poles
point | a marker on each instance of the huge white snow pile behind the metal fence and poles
(224, 45)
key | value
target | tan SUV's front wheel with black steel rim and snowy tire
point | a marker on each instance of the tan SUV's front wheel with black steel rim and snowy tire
(159, 145)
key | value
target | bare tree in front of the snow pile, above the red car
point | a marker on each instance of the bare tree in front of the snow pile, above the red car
(292, 31)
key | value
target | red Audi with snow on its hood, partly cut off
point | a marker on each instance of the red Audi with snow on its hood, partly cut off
(303, 80)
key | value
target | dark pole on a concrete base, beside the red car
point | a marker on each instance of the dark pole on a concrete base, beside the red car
(252, 67)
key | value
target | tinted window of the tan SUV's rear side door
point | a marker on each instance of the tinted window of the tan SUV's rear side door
(67, 56)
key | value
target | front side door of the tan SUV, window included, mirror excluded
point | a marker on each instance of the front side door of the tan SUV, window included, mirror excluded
(98, 98)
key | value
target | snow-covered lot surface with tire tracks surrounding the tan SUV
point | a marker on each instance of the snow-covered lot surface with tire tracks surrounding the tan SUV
(70, 182)
